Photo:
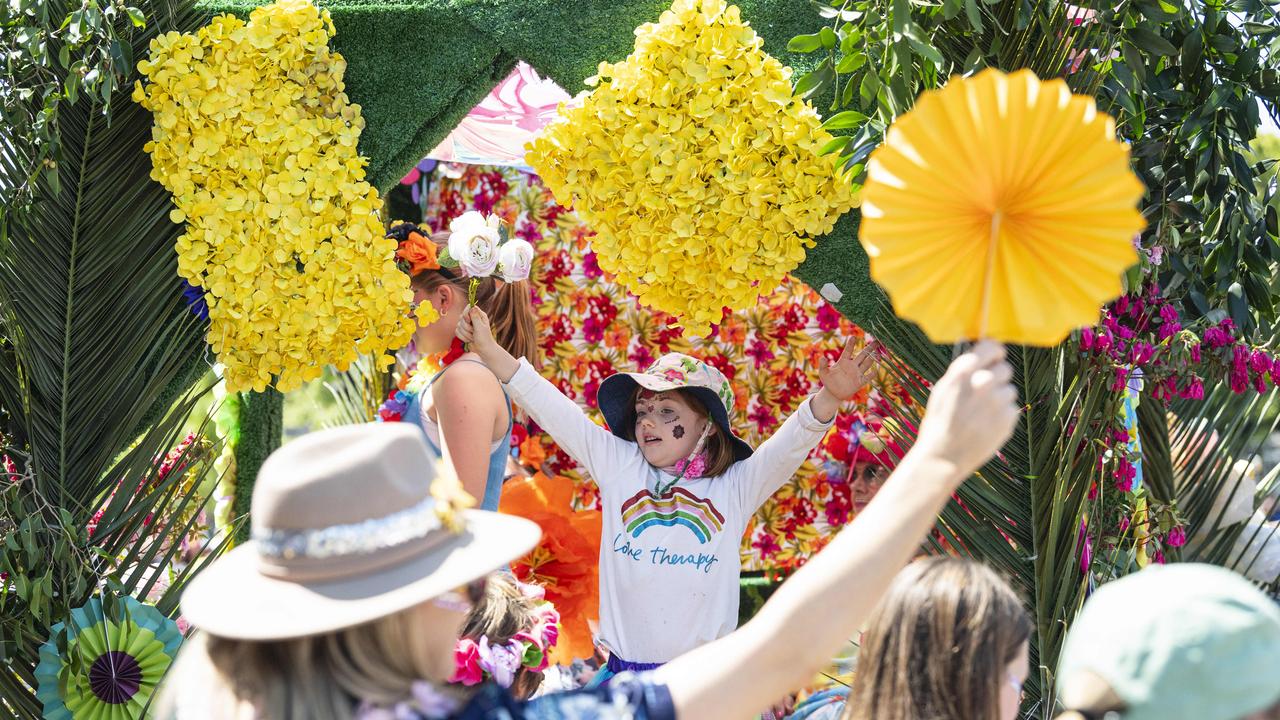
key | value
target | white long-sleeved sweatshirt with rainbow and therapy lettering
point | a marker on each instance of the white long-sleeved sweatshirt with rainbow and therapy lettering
(669, 567)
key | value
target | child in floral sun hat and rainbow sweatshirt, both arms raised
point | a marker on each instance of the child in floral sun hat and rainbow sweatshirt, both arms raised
(678, 487)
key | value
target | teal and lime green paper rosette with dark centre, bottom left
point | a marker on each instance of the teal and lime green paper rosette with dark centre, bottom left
(111, 667)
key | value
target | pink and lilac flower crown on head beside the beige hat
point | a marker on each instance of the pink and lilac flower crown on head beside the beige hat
(479, 662)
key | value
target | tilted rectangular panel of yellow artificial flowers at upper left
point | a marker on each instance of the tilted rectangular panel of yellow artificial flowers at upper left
(257, 140)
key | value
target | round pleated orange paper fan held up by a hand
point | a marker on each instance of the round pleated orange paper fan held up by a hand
(1002, 207)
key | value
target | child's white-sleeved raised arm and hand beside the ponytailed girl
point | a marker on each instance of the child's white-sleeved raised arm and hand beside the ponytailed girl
(596, 448)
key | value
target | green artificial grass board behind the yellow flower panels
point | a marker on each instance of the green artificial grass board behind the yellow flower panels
(418, 67)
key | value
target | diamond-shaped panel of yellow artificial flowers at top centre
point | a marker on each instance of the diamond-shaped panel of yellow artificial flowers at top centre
(696, 165)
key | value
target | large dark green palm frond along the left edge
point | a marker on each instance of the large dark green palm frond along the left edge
(97, 357)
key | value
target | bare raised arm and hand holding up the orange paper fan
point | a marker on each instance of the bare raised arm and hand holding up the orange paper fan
(971, 414)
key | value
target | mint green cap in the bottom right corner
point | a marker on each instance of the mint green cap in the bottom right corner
(1174, 642)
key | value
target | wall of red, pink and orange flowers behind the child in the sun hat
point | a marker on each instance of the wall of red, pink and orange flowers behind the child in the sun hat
(592, 329)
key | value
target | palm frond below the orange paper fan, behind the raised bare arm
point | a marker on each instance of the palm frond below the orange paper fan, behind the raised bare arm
(1022, 513)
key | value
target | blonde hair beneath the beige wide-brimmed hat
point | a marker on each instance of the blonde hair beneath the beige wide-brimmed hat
(313, 678)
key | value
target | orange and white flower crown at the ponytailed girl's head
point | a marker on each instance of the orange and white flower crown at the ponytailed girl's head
(479, 245)
